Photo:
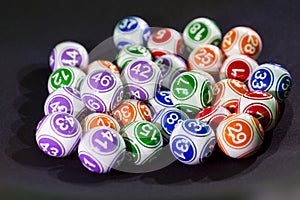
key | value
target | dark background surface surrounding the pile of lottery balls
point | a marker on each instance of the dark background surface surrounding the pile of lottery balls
(28, 32)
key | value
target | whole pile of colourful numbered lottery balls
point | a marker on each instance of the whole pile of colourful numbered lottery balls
(151, 96)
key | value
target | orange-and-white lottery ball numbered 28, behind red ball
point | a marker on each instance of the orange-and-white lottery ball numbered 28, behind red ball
(242, 40)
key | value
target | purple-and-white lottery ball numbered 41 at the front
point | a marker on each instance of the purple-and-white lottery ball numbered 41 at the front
(101, 149)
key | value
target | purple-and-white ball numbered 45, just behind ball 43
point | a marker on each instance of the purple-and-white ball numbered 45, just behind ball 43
(65, 99)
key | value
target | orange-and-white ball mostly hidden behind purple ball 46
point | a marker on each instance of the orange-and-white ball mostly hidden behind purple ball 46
(103, 64)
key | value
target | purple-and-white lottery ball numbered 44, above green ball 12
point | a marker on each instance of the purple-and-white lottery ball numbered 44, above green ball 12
(67, 54)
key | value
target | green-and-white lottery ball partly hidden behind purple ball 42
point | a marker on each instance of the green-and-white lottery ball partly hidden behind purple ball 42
(131, 53)
